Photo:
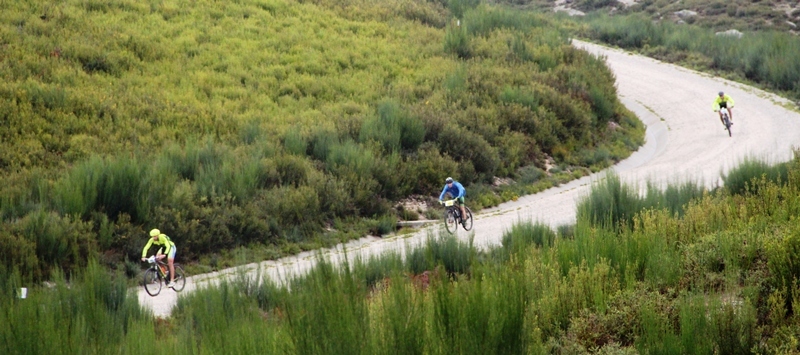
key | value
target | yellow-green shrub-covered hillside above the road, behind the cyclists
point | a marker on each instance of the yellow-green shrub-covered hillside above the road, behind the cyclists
(277, 125)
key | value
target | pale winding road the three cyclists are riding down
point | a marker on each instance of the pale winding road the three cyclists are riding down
(685, 142)
